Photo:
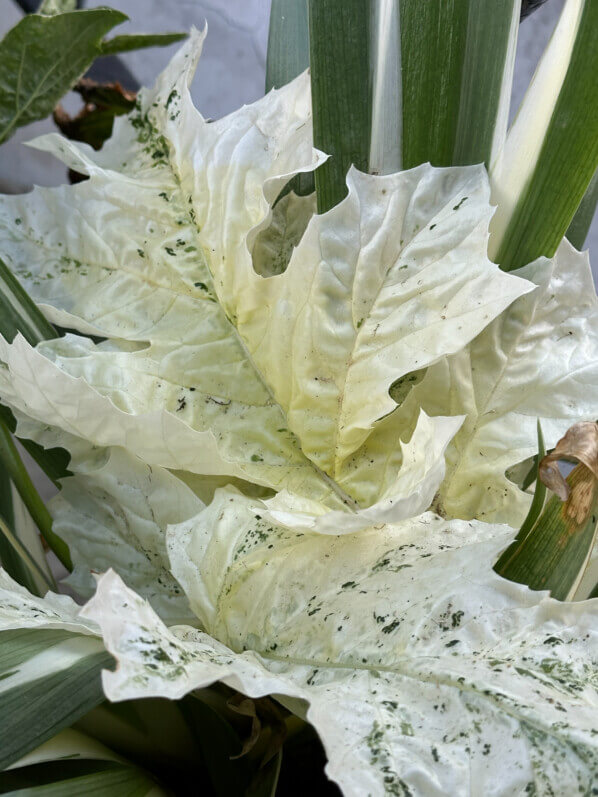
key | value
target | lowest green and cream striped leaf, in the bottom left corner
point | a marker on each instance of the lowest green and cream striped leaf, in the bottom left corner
(71, 764)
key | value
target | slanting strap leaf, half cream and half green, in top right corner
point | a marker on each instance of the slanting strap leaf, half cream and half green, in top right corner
(551, 151)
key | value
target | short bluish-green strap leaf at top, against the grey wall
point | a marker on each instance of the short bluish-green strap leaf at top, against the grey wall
(288, 42)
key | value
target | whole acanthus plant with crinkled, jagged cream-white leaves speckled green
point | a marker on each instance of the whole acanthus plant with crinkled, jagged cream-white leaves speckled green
(290, 436)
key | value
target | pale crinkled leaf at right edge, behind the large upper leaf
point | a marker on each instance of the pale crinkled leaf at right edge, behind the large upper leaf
(538, 360)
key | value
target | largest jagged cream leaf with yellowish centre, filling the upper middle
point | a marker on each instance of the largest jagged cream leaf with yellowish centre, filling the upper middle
(208, 366)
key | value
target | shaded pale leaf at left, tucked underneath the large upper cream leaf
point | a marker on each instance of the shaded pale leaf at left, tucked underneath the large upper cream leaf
(113, 513)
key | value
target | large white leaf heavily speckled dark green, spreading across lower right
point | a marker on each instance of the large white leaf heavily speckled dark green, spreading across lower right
(424, 671)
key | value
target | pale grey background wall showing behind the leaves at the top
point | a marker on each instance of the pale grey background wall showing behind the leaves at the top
(231, 71)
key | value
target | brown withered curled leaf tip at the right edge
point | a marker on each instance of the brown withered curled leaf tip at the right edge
(580, 444)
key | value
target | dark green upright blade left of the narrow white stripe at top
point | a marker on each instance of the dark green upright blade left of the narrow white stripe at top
(339, 39)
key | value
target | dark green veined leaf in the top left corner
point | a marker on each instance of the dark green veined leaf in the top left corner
(41, 58)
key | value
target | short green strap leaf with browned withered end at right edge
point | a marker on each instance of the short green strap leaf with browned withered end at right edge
(555, 552)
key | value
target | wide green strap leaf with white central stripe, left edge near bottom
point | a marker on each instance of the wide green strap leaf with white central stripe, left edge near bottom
(48, 679)
